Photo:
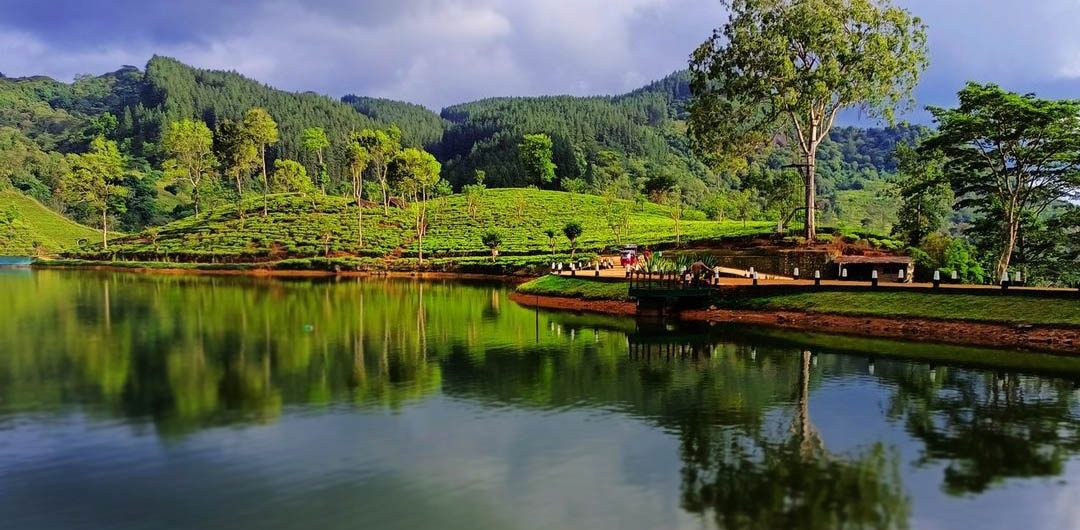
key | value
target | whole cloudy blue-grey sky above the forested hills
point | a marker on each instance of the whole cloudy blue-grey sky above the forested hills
(442, 52)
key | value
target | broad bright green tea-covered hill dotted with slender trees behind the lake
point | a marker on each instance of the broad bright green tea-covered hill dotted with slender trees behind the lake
(319, 226)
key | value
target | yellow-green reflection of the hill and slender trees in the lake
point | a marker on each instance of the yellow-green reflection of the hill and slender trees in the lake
(194, 352)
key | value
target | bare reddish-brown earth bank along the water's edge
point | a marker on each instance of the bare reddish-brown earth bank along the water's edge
(1055, 339)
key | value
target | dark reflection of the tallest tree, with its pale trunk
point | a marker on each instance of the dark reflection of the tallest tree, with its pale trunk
(749, 481)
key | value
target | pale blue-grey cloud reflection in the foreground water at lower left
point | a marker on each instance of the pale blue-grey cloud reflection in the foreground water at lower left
(510, 469)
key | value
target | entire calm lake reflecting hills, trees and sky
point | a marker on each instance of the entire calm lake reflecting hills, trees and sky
(143, 402)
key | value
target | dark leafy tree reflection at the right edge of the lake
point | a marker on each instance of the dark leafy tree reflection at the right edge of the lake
(988, 427)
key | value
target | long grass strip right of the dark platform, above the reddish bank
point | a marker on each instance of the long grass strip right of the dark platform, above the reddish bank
(985, 308)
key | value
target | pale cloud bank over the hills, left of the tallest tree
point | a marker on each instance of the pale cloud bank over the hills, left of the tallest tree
(431, 52)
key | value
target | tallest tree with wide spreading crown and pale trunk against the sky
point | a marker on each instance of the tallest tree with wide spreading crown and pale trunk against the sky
(791, 66)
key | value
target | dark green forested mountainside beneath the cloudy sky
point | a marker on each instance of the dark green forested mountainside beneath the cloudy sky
(637, 140)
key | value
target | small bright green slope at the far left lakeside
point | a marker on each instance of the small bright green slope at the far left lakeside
(28, 228)
